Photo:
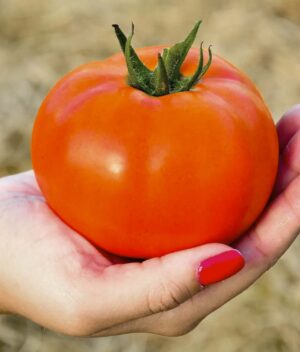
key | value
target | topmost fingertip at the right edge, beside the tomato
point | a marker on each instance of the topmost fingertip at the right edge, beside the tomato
(288, 125)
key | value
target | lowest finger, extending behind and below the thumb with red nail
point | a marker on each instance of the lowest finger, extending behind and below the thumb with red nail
(262, 246)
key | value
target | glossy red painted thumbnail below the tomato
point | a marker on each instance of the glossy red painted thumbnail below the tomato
(220, 267)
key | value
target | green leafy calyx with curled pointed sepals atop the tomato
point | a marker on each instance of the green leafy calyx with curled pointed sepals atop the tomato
(166, 78)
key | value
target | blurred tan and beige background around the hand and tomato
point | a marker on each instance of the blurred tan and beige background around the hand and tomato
(42, 40)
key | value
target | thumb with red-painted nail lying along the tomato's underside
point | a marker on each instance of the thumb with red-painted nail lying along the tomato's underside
(135, 290)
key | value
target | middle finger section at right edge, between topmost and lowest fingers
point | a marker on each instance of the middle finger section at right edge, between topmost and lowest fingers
(289, 165)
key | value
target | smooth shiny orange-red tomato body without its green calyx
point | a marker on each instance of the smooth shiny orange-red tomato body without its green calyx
(142, 176)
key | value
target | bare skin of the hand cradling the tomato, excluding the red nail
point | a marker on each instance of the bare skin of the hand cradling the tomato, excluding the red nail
(53, 276)
